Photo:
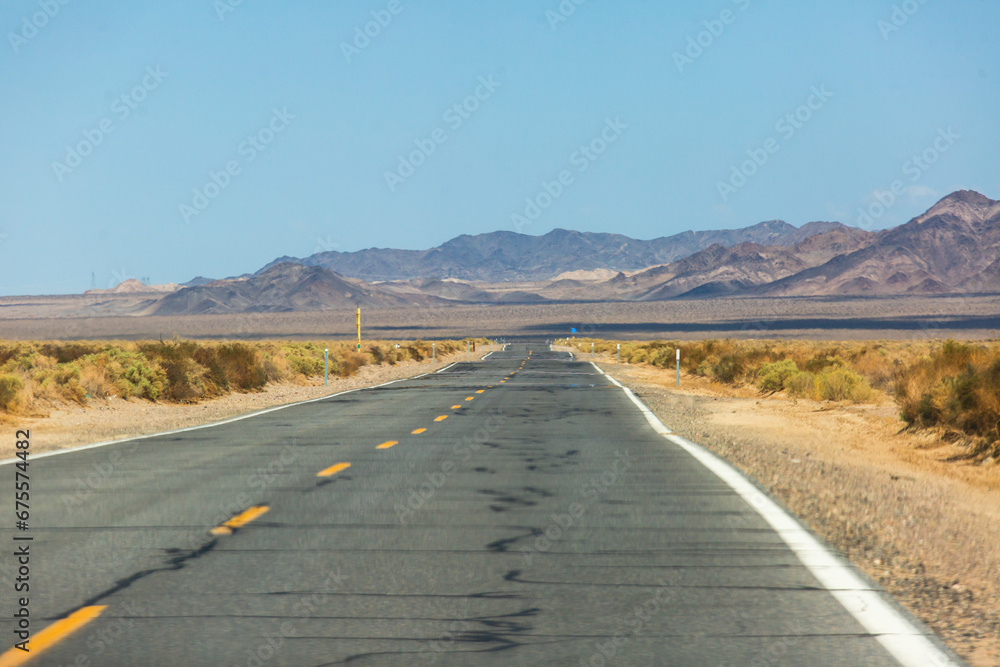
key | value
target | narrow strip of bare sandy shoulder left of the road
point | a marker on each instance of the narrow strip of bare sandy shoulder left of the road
(113, 419)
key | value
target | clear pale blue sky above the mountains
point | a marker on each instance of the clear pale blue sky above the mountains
(168, 140)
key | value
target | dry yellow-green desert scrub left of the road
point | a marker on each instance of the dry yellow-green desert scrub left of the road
(33, 374)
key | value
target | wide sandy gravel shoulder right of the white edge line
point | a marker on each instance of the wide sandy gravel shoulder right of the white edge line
(906, 508)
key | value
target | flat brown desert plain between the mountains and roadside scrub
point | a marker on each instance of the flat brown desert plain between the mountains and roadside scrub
(46, 318)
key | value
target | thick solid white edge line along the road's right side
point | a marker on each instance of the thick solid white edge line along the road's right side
(907, 644)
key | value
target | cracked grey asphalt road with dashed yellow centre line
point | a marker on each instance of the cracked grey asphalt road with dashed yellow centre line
(538, 520)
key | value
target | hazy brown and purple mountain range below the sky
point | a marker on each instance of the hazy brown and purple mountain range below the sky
(952, 248)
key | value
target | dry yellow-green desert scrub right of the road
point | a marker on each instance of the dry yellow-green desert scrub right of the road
(942, 384)
